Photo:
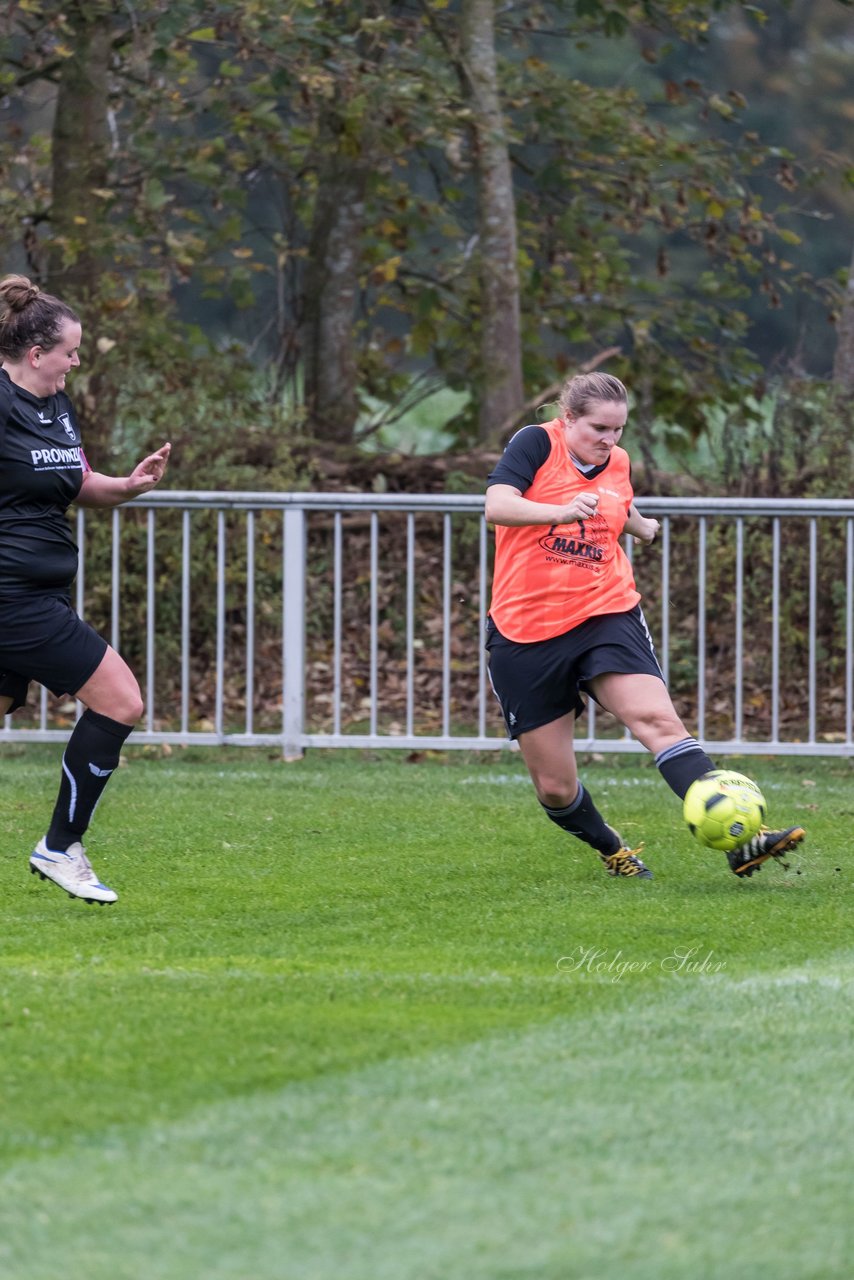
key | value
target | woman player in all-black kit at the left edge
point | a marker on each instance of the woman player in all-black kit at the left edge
(43, 469)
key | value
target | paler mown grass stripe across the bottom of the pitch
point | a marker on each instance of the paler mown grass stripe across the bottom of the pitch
(647, 1142)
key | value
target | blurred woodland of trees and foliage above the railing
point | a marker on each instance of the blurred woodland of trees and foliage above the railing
(289, 223)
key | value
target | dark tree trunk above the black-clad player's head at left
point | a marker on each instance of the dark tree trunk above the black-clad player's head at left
(80, 153)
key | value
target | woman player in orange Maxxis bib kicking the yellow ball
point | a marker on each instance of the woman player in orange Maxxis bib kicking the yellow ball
(565, 618)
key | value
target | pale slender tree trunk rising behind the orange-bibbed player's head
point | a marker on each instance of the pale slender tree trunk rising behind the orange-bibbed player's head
(501, 364)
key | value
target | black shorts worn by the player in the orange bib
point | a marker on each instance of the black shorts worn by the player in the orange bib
(541, 682)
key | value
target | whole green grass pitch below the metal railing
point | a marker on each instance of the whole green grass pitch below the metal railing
(364, 1020)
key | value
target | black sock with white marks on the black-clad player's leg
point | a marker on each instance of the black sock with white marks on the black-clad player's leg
(92, 756)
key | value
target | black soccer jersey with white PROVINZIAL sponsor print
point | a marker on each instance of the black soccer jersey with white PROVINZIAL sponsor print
(42, 473)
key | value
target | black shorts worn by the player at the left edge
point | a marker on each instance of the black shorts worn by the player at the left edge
(44, 639)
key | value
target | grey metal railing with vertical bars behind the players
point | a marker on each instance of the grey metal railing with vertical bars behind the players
(325, 620)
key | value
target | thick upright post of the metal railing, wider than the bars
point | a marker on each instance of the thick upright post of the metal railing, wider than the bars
(294, 633)
